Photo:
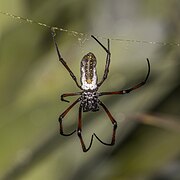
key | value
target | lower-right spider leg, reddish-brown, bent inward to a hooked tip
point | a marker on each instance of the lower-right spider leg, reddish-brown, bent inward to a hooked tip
(114, 127)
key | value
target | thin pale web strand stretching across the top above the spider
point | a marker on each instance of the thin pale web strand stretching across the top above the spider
(82, 37)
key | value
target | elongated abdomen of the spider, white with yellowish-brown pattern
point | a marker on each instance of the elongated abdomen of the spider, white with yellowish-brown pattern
(88, 72)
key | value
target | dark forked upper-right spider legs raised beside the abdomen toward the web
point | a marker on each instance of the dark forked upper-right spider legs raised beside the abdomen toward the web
(106, 71)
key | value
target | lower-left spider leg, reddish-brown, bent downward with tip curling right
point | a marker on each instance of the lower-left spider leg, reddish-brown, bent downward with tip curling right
(62, 116)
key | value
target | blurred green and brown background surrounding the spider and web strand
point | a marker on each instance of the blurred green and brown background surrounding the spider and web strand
(32, 80)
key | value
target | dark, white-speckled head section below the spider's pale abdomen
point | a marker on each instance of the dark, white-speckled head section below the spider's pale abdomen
(89, 101)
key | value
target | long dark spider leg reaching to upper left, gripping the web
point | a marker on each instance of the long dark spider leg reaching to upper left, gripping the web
(62, 60)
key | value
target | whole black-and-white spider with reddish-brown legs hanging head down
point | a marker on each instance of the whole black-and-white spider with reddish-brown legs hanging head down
(89, 96)
